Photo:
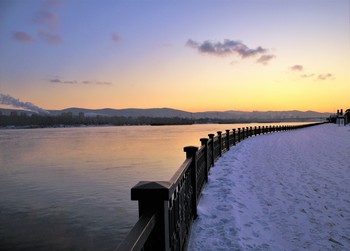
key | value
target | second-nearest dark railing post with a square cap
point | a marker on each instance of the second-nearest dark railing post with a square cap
(191, 152)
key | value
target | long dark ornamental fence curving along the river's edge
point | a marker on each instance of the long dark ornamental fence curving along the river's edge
(167, 208)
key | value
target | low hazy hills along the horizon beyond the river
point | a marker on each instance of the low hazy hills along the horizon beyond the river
(171, 113)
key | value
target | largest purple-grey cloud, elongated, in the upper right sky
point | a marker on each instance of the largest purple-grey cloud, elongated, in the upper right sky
(226, 48)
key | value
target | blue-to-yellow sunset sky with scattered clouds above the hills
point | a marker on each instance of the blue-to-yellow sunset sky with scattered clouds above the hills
(193, 55)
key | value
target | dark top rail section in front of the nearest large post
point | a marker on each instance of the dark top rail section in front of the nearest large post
(139, 234)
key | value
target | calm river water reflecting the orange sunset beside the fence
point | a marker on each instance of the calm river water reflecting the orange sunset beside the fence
(69, 188)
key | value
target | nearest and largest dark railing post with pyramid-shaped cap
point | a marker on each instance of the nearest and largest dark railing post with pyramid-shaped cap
(153, 197)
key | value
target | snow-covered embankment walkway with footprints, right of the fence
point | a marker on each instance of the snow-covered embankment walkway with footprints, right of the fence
(282, 191)
